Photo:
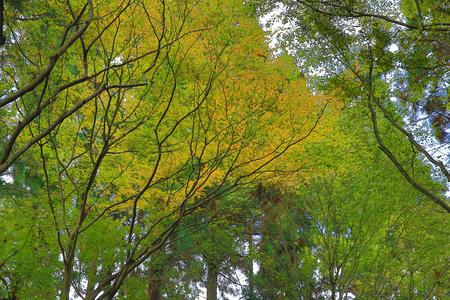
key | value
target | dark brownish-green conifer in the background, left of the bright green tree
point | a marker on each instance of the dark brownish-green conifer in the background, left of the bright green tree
(284, 234)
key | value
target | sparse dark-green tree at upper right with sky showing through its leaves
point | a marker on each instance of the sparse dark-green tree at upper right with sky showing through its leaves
(387, 56)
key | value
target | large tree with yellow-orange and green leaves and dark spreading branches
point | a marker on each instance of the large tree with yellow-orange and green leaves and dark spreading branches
(138, 114)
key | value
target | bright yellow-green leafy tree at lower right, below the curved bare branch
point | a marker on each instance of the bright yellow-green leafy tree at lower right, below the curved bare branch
(357, 211)
